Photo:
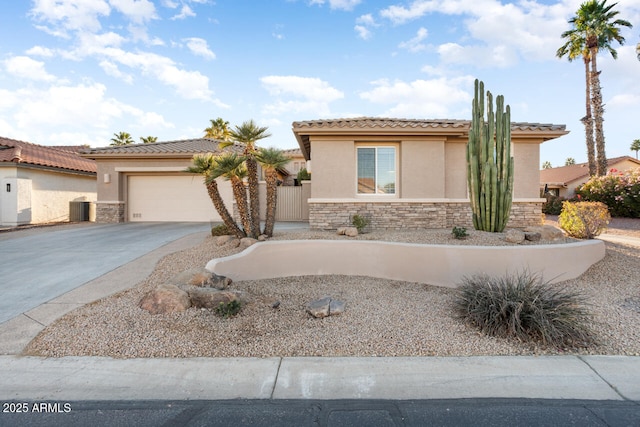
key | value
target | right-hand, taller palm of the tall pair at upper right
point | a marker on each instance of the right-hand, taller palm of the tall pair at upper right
(596, 21)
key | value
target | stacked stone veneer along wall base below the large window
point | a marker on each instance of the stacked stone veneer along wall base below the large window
(398, 215)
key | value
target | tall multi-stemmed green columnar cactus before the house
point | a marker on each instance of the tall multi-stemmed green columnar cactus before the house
(489, 162)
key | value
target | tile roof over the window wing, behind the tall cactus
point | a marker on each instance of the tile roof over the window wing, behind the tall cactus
(378, 122)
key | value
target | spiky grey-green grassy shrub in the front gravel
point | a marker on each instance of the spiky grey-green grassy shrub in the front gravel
(524, 307)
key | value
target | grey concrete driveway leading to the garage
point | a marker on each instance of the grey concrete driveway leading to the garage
(38, 265)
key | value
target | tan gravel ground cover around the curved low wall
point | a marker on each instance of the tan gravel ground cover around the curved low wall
(382, 317)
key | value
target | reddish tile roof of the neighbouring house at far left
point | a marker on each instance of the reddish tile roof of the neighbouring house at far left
(20, 152)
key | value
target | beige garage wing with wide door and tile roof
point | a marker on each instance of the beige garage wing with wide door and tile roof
(147, 182)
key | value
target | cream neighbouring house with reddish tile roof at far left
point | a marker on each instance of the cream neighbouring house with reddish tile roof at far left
(38, 182)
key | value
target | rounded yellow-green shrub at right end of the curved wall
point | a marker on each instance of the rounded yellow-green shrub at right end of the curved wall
(584, 220)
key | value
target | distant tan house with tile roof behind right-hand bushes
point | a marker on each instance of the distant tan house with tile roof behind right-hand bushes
(563, 181)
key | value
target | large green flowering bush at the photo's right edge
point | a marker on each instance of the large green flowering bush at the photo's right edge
(620, 191)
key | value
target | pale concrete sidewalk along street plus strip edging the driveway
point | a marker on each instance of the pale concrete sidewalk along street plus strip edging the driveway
(610, 378)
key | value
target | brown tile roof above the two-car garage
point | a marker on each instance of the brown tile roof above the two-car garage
(180, 147)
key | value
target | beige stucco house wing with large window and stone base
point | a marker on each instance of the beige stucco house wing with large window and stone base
(408, 174)
